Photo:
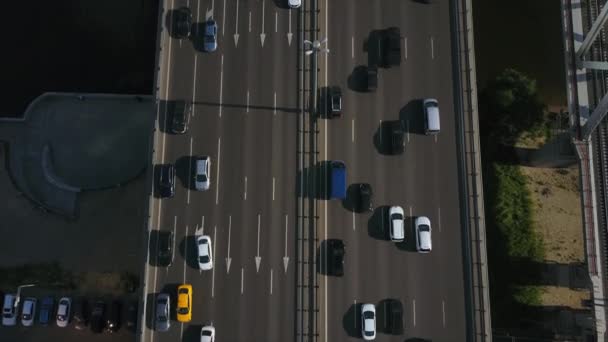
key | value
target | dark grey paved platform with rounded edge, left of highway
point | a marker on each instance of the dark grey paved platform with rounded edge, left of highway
(67, 143)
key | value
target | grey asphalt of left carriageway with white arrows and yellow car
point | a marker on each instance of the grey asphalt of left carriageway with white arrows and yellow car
(245, 111)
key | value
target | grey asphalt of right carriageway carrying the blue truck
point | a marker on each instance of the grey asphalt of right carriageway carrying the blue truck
(423, 180)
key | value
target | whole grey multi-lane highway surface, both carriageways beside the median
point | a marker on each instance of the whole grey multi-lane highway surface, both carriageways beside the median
(246, 107)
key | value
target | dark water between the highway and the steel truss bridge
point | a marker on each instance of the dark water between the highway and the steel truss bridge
(525, 35)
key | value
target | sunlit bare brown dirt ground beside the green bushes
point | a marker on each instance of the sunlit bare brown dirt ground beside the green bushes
(558, 219)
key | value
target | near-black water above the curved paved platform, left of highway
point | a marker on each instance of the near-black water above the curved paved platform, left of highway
(103, 46)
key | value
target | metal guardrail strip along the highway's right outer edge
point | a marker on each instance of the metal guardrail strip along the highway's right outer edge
(474, 237)
